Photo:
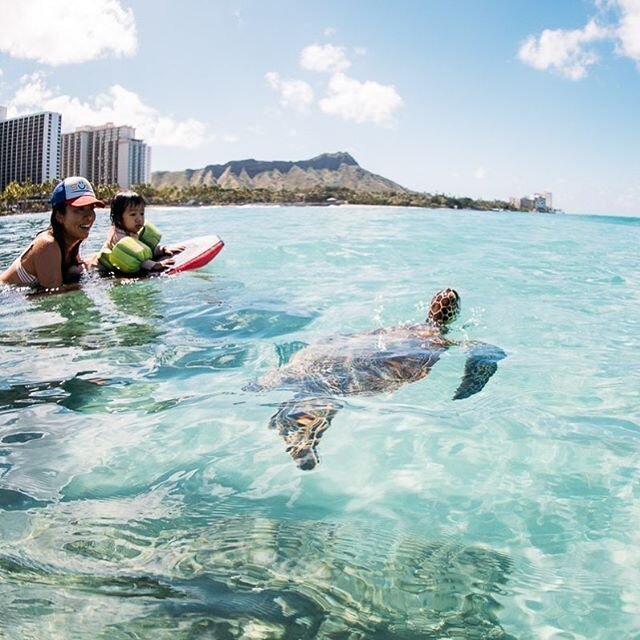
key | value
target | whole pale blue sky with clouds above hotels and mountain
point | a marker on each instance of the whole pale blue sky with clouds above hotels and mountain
(487, 99)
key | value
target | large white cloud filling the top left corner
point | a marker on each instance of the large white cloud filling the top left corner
(58, 32)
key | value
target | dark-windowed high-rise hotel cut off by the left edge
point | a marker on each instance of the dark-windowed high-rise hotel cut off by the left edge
(29, 147)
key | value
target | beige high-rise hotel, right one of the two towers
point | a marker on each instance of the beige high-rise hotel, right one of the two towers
(106, 155)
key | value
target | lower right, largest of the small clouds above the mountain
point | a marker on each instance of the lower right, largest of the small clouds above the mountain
(360, 101)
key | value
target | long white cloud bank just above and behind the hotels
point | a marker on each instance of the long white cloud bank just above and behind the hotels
(117, 105)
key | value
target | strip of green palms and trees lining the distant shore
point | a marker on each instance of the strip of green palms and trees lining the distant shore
(27, 196)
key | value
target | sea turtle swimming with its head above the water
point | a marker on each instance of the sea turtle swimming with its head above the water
(377, 361)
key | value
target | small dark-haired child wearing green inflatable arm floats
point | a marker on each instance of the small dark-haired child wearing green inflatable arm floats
(132, 244)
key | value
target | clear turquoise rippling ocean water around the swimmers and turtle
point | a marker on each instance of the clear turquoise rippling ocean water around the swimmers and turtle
(142, 494)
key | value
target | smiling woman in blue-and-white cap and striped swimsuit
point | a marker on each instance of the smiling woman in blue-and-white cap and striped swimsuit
(53, 258)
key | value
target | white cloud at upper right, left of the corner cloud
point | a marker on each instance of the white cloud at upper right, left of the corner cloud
(563, 50)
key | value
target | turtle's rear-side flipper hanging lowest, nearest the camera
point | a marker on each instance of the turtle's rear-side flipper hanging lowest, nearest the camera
(301, 423)
